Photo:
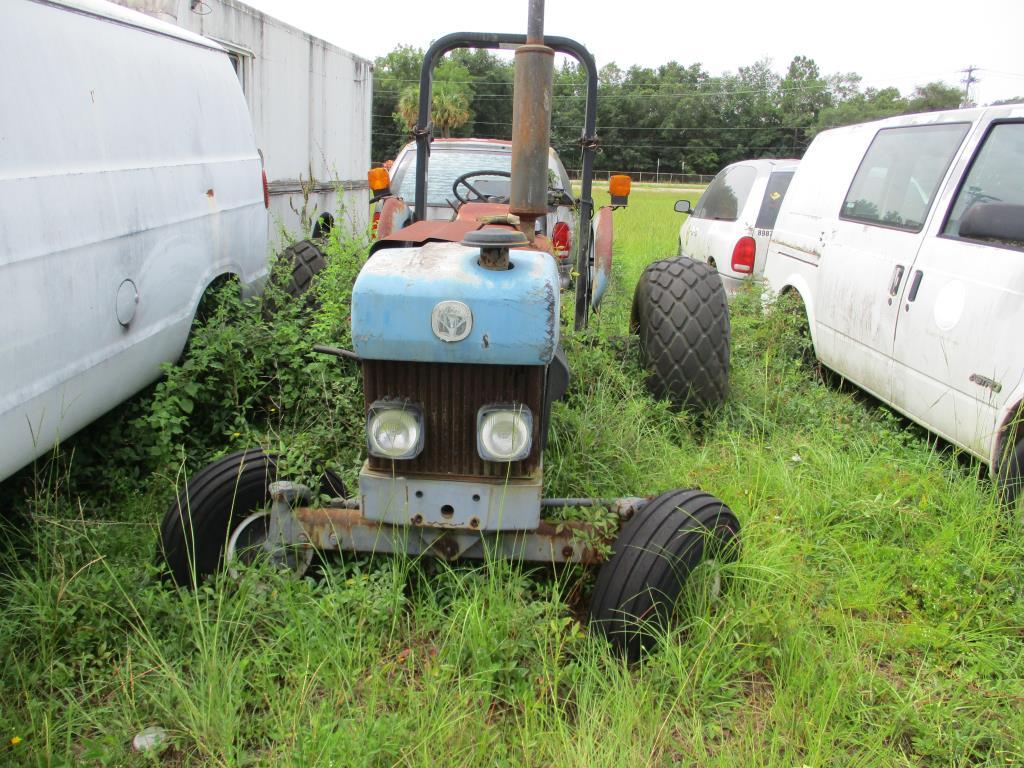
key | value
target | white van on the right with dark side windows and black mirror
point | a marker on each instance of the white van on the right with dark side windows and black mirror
(906, 240)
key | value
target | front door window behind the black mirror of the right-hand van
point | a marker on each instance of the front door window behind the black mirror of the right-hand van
(990, 206)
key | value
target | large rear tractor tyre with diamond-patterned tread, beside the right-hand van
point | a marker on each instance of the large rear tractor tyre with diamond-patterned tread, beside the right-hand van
(681, 313)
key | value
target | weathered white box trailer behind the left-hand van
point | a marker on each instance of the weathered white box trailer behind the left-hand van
(311, 104)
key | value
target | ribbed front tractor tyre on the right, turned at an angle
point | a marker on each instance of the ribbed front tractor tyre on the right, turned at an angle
(660, 557)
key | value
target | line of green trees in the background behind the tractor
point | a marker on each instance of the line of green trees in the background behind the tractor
(675, 118)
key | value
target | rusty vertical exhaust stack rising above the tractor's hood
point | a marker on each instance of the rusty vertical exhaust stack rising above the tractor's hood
(532, 123)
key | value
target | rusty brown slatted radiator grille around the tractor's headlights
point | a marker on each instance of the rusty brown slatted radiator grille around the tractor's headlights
(451, 396)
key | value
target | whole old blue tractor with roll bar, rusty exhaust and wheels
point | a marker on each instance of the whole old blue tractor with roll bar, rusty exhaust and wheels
(456, 326)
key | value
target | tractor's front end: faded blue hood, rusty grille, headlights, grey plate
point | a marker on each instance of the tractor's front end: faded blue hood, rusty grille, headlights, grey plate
(456, 343)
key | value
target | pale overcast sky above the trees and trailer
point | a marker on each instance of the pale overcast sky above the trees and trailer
(889, 42)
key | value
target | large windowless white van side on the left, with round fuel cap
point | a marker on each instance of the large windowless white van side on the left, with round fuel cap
(130, 182)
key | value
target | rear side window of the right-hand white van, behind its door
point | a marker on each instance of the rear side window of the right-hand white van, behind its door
(901, 176)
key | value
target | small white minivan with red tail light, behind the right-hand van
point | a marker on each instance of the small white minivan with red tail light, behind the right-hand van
(731, 228)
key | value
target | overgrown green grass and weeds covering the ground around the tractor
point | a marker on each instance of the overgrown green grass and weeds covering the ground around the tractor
(876, 616)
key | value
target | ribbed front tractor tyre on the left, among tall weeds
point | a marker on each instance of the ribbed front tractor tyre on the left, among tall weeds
(222, 511)
